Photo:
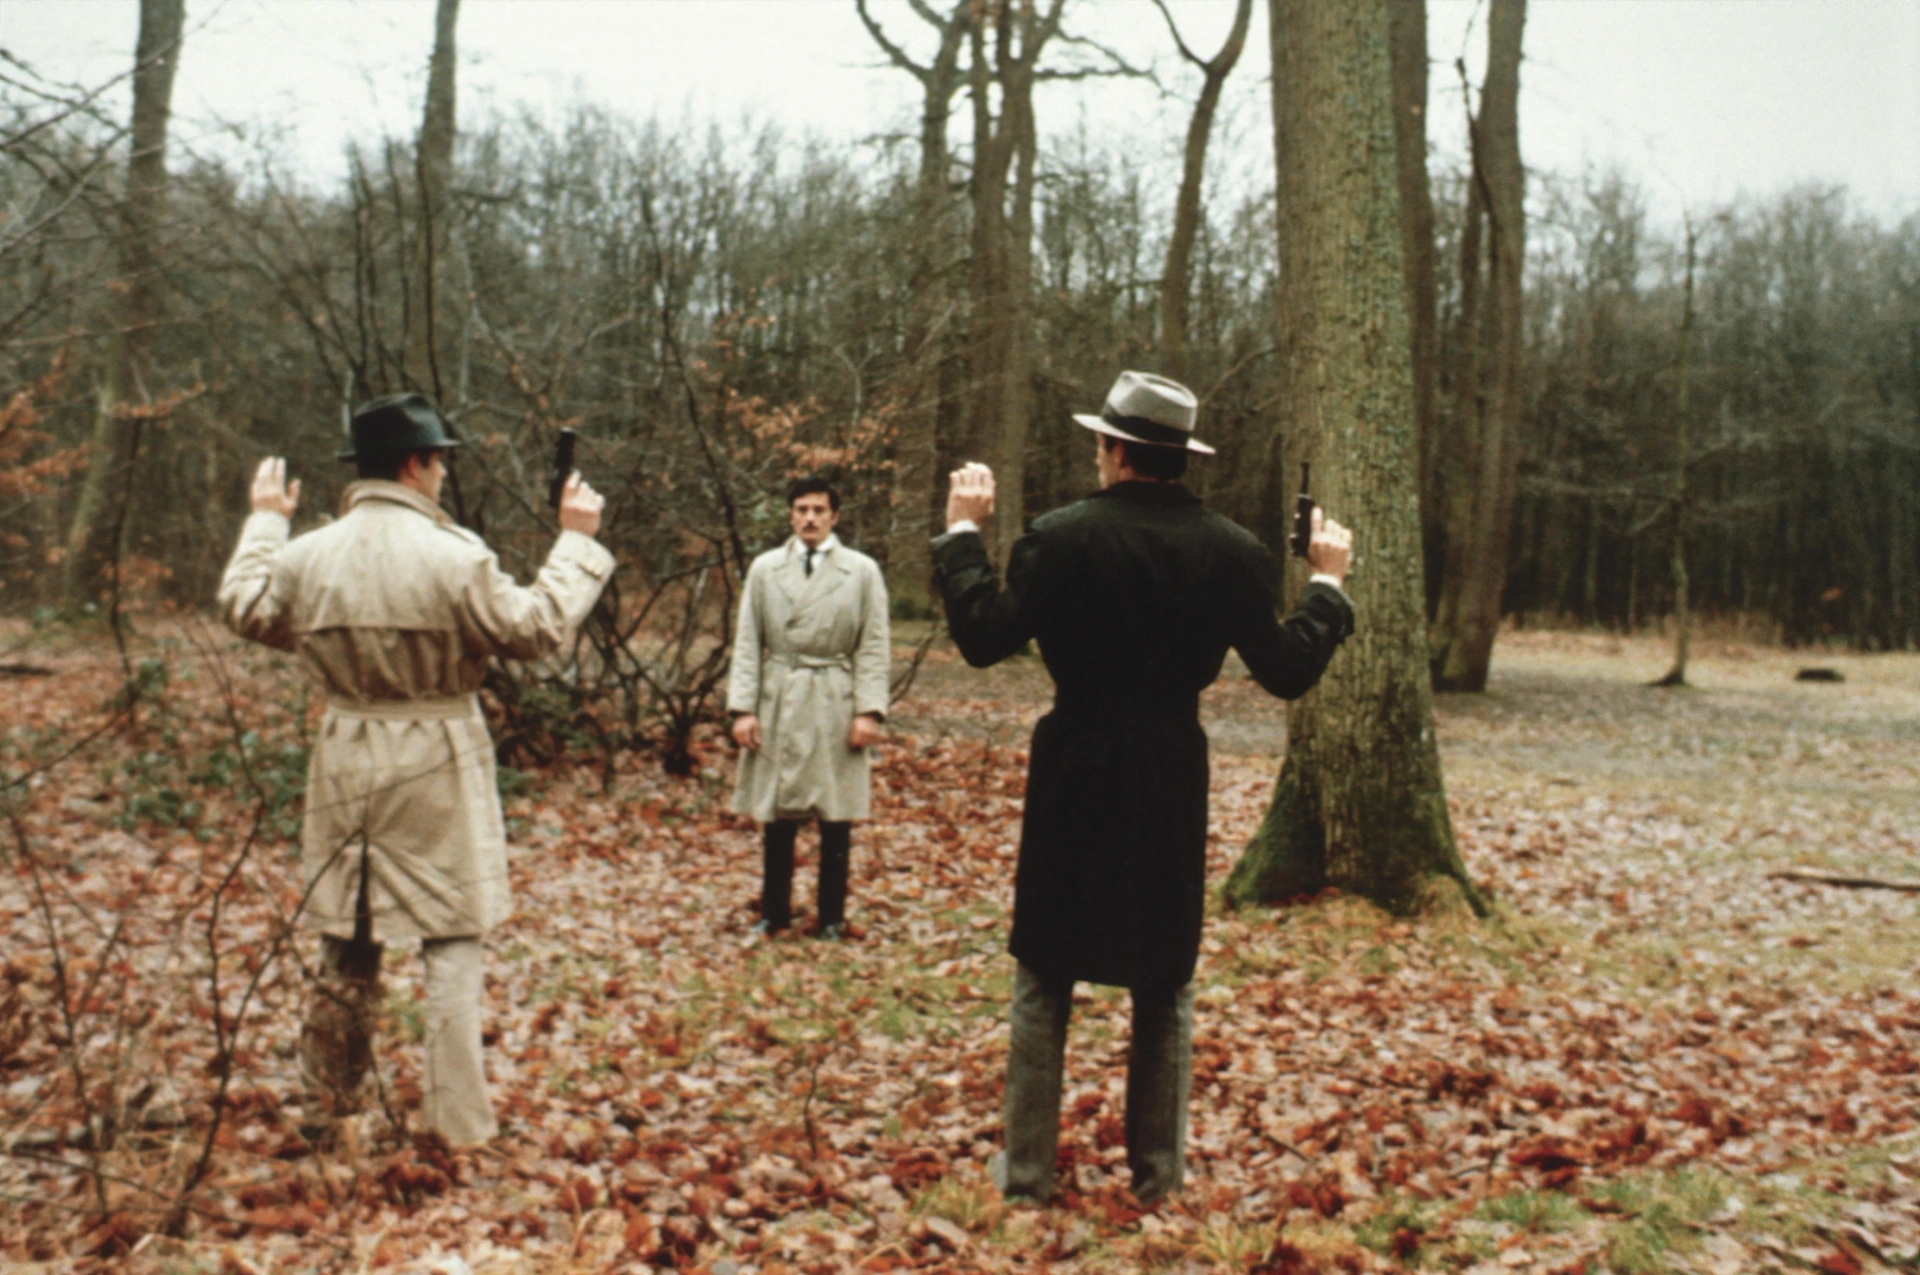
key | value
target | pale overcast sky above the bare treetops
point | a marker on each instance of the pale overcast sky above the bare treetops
(1698, 99)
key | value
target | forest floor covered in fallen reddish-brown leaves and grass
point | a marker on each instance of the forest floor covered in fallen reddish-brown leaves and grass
(1654, 1057)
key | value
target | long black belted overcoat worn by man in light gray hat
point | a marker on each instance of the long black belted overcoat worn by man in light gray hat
(1136, 596)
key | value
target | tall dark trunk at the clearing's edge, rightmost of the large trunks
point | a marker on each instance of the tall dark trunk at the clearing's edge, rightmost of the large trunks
(1487, 402)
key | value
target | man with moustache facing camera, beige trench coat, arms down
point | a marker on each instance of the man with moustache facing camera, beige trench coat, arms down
(809, 692)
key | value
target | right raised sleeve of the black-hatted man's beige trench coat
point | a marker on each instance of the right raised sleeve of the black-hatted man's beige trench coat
(537, 621)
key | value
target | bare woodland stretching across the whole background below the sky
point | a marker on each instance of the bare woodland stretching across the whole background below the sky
(717, 310)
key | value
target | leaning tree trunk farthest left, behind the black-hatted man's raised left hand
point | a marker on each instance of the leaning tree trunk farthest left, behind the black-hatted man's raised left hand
(130, 379)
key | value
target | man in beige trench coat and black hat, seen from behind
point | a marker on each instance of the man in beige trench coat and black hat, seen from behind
(396, 612)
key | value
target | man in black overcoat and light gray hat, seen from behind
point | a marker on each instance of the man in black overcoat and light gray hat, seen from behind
(1136, 596)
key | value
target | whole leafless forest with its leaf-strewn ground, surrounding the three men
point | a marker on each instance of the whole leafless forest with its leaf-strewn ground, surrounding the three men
(1572, 414)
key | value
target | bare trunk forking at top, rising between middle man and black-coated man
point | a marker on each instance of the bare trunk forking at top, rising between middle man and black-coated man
(930, 324)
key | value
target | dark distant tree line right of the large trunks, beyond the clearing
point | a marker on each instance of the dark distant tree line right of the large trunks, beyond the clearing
(1802, 429)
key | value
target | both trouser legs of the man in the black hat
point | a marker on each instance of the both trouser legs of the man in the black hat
(337, 1042)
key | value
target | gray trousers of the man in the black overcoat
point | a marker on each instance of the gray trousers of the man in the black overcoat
(1159, 1080)
